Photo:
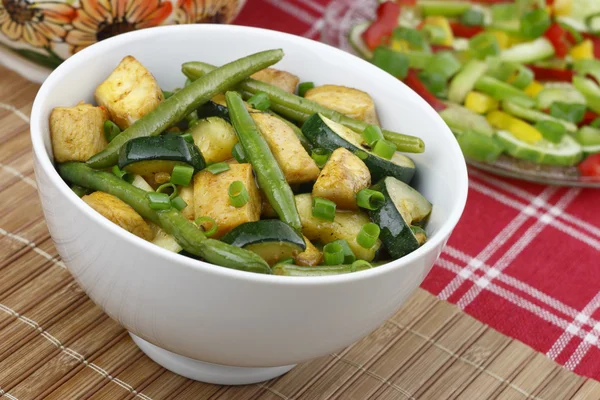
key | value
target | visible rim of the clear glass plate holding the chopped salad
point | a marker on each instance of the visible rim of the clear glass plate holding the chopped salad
(341, 15)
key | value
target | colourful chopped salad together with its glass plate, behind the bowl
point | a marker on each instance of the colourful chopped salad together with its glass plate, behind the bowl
(517, 82)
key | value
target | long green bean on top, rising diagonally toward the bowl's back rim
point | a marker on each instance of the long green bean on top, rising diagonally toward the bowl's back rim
(186, 100)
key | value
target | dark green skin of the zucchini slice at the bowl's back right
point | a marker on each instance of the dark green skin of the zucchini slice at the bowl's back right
(321, 135)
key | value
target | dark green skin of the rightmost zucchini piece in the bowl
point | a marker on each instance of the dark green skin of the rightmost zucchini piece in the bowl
(396, 234)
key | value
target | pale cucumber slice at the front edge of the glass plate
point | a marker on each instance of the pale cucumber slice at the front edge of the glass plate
(568, 152)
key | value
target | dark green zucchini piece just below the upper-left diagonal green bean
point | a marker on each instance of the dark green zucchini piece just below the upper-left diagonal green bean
(161, 148)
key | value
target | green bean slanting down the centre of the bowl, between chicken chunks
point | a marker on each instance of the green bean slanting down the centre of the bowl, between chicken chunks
(268, 173)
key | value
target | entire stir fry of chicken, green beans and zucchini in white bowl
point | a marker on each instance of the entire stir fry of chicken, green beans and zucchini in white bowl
(235, 169)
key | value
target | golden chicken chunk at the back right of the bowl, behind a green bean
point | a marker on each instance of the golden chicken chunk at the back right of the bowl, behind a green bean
(351, 102)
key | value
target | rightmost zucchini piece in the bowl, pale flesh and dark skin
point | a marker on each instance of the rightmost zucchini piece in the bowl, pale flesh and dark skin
(403, 207)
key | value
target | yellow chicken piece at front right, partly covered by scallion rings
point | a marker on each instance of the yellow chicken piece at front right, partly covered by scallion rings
(346, 225)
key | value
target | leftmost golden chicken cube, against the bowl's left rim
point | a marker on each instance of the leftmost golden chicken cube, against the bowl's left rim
(77, 133)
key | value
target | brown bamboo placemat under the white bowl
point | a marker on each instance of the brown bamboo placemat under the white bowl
(56, 344)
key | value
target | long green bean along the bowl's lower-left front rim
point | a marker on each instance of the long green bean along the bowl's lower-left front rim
(192, 239)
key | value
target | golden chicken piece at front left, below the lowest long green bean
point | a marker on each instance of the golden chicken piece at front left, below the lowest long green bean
(119, 213)
